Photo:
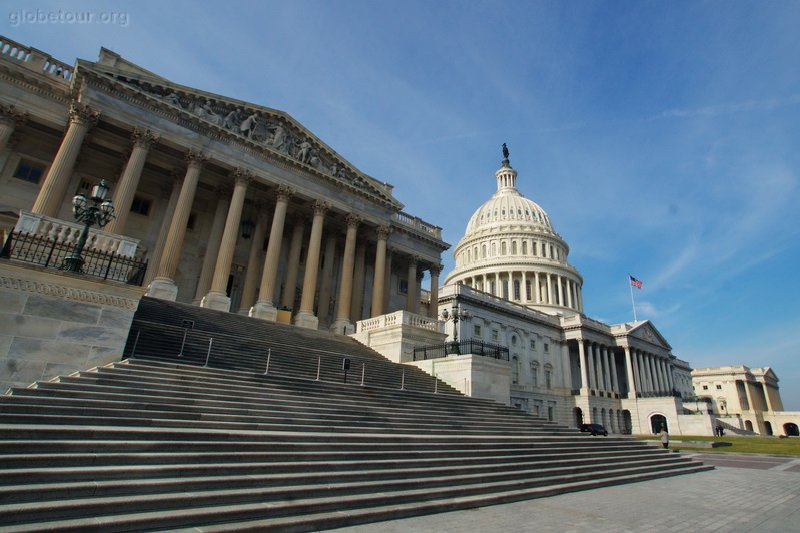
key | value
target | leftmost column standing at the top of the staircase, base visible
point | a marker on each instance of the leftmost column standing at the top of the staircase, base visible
(163, 286)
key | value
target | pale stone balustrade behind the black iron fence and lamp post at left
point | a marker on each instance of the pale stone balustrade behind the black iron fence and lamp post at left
(68, 232)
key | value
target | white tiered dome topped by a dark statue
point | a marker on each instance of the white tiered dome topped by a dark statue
(511, 251)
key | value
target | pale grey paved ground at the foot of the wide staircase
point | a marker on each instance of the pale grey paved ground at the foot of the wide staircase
(755, 493)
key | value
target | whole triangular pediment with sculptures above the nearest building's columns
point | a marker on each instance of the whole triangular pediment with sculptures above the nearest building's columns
(271, 131)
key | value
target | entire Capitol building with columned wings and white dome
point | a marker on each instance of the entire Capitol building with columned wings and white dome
(237, 207)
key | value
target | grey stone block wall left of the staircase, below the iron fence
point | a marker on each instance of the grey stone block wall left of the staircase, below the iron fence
(55, 324)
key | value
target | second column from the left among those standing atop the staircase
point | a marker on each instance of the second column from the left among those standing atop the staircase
(217, 298)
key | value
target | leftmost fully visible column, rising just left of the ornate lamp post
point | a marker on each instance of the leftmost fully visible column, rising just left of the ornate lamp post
(51, 195)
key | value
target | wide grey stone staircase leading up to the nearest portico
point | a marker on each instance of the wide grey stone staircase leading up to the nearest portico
(173, 439)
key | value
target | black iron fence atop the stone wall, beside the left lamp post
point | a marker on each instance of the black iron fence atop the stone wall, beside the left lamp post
(49, 253)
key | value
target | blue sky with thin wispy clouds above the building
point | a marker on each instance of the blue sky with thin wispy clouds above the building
(661, 137)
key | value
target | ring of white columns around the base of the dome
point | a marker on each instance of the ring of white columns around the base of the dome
(545, 288)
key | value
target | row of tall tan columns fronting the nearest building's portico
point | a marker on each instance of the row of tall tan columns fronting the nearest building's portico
(222, 239)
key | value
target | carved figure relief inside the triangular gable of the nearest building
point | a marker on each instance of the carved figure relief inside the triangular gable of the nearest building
(228, 121)
